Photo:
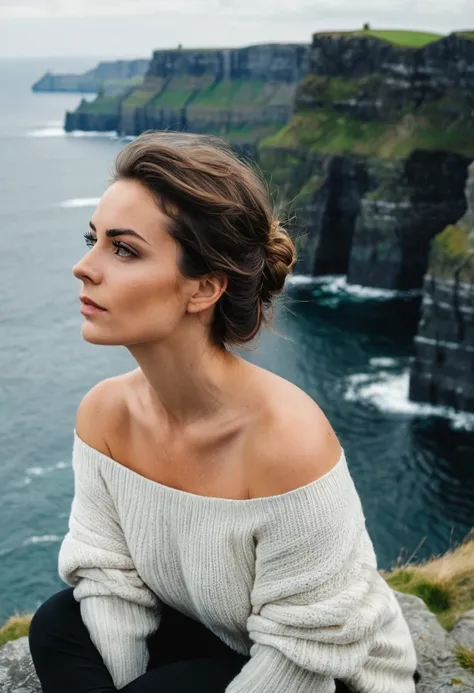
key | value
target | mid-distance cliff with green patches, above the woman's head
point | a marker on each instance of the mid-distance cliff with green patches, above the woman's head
(243, 94)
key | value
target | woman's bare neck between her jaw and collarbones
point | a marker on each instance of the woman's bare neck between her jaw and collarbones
(190, 382)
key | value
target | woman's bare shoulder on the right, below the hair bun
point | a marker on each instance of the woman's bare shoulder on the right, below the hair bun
(296, 443)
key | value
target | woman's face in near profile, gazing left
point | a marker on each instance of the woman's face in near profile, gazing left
(136, 280)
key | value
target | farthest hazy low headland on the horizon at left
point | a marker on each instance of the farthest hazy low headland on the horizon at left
(110, 76)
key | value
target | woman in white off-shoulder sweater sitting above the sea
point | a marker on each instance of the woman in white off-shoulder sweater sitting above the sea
(216, 540)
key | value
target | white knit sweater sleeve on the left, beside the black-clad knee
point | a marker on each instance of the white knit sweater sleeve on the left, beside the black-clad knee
(118, 609)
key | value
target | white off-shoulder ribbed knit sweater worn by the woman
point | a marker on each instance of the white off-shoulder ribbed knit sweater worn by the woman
(290, 579)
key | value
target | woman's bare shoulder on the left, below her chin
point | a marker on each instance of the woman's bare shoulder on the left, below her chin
(101, 409)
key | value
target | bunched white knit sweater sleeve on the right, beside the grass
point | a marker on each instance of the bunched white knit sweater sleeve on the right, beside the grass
(320, 609)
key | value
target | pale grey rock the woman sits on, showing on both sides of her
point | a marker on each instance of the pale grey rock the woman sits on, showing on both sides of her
(435, 648)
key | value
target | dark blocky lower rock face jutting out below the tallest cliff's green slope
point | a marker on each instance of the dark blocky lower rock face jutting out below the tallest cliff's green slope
(411, 200)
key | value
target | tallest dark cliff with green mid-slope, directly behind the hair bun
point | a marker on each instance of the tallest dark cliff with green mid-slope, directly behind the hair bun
(375, 155)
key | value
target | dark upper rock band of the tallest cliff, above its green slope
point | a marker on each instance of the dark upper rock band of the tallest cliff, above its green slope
(377, 80)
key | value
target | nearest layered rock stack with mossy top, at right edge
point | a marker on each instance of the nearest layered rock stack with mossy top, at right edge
(443, 366)
